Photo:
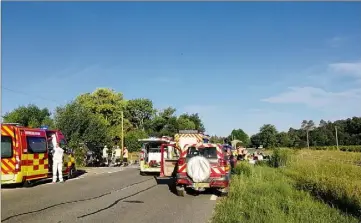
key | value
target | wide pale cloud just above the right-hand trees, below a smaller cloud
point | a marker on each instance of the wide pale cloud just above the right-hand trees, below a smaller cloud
(317, 97)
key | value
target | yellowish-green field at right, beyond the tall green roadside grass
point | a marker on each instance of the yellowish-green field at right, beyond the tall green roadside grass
(331, 176)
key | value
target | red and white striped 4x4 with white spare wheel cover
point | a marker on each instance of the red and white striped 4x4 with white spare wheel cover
(200, 166)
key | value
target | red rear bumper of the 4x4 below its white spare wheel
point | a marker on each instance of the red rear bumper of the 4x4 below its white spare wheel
(212, 182)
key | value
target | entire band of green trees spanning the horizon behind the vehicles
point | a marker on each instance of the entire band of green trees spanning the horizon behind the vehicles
(96, 119)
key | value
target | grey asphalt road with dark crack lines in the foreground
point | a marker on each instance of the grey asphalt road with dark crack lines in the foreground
(123, 196)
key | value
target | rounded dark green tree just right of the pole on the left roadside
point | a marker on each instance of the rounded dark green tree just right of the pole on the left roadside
(139, 111)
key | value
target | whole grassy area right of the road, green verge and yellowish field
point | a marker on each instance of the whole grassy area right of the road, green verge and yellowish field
(297, 186)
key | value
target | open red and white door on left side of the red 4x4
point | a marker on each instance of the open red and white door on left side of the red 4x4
(168, 164)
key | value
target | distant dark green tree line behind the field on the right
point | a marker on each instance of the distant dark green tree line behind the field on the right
(324, 134)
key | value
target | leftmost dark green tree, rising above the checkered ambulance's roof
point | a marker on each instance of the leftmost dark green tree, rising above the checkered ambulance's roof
(30, 116)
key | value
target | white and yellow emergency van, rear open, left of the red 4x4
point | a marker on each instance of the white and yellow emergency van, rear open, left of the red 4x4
(150, 155)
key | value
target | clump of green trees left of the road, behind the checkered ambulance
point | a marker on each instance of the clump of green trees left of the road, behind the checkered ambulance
(96, 119)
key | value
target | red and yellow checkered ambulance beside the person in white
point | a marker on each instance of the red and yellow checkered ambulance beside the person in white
(25, 155)
